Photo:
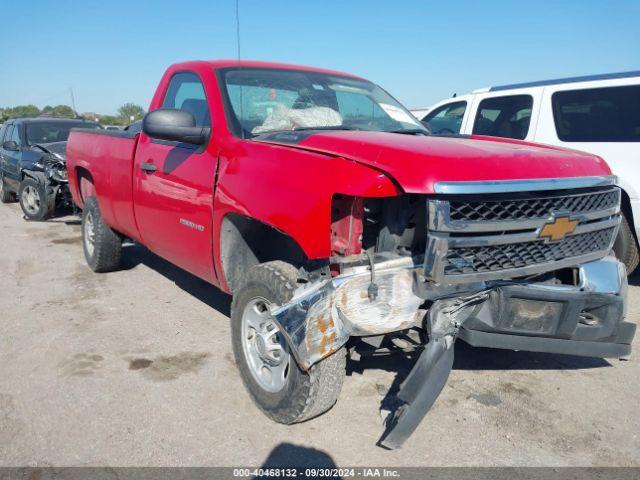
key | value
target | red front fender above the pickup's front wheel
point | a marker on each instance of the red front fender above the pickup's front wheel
(291, 190)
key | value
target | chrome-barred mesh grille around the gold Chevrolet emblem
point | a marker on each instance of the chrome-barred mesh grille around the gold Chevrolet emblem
(497, 236)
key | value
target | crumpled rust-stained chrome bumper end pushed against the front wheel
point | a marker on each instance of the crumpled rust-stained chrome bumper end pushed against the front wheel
(324, 314)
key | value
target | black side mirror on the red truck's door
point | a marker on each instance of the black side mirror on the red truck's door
(174, 125)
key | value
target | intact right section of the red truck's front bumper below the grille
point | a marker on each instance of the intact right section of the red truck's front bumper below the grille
(587, 320)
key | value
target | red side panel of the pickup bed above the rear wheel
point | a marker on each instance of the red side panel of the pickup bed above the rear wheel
(108, 155)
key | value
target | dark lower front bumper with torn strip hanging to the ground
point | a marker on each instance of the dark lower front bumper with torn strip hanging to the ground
(587, 319)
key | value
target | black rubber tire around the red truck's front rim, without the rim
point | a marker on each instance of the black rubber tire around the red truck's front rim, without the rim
(305, 394)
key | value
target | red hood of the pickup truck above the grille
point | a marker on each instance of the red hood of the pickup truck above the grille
(418, 162)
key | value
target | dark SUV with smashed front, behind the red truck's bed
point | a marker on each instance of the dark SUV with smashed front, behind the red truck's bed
(33, 163)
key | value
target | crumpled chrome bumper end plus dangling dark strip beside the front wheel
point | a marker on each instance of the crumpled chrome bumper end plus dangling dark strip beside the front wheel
(323, 315)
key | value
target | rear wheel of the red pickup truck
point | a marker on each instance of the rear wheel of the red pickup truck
(102, 245)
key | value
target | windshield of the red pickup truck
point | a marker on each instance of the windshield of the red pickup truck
(265, 100)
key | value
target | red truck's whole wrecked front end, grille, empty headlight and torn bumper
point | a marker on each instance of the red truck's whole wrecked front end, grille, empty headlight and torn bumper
(484, 272)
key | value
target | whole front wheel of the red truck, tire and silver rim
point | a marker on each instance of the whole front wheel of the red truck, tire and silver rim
(276, 384)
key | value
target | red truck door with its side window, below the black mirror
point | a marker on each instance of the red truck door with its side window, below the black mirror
(173, 186)
